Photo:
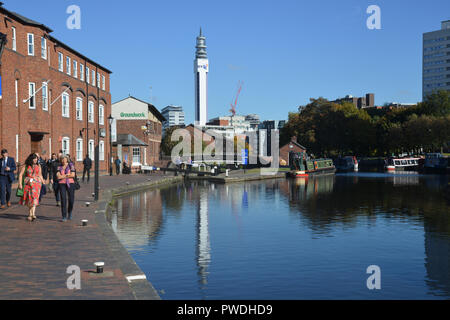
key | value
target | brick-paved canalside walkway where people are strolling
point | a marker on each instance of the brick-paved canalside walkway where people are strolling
(34, 256)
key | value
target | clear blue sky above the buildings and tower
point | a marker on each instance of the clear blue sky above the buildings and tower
(285, 52)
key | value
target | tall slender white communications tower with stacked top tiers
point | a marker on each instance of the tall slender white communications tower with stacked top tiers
(201, 69)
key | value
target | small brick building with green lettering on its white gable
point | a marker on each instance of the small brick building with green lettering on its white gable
(143, 121)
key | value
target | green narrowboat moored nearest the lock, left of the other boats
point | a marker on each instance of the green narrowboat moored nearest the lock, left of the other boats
(303, 166)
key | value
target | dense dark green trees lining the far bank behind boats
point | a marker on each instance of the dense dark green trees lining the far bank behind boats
(329, 129)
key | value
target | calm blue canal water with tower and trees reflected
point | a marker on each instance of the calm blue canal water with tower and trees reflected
(292, 239)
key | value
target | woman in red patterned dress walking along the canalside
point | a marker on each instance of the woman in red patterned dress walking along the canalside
(32, 185)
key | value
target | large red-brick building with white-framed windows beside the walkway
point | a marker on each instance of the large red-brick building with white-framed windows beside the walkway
(53, 97)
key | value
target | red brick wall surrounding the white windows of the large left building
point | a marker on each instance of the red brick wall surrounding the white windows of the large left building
(21, 120)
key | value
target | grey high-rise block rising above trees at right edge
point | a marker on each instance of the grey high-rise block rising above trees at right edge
(436, 60)
